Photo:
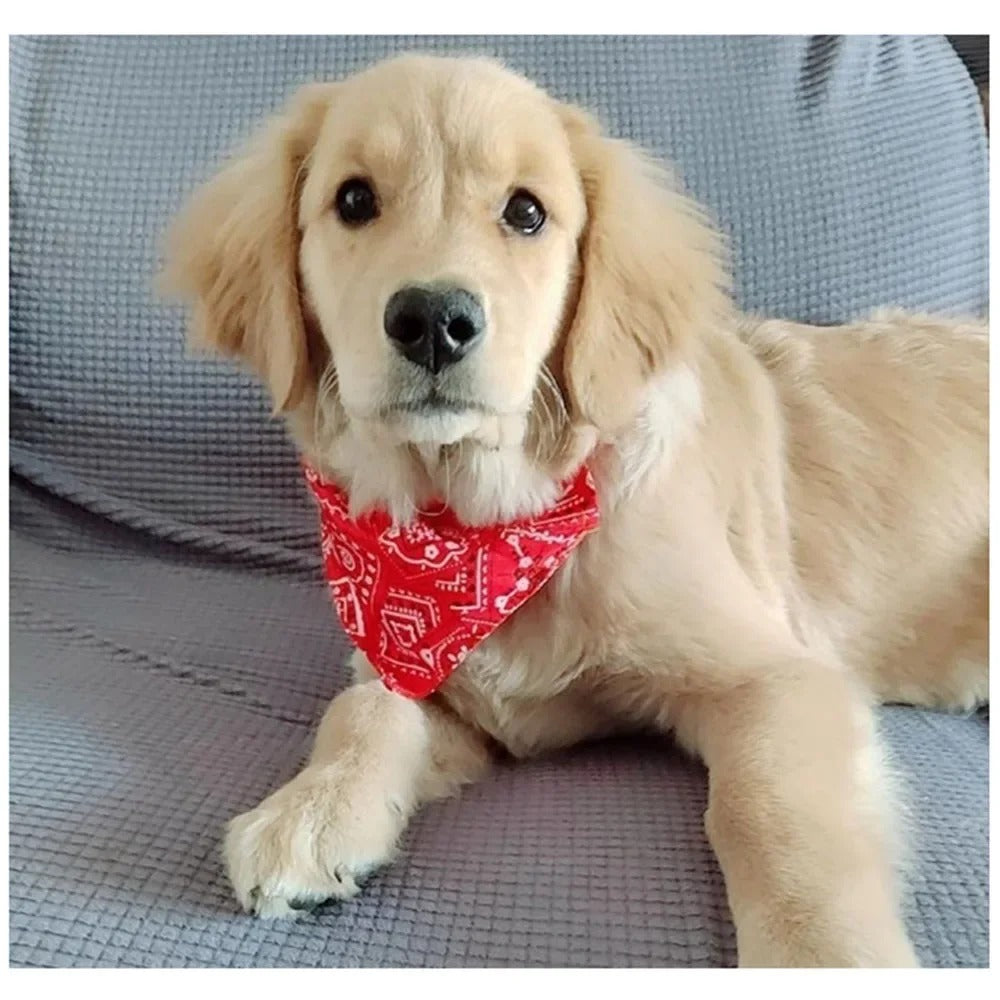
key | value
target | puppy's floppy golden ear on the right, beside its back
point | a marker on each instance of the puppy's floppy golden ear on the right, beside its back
(651, 276)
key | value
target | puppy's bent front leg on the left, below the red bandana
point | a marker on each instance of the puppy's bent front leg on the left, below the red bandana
(377, 757)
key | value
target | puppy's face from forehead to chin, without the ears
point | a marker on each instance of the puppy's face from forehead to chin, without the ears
(439, 222)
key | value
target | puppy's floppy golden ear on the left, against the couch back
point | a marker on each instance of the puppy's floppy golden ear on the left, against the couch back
(233, 252)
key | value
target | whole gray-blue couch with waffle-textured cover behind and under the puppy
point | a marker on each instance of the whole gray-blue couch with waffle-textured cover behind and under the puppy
(172, 645)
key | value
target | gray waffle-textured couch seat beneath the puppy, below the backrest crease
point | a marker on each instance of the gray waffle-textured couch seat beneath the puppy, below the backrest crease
(154, 696)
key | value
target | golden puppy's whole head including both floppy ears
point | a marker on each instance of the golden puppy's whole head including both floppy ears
(440, 253)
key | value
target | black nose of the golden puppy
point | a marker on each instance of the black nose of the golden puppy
(434, 326)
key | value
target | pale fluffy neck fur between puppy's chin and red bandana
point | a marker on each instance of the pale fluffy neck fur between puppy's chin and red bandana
(495, 477)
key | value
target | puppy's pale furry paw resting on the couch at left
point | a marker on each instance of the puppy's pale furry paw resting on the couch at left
(312, 840)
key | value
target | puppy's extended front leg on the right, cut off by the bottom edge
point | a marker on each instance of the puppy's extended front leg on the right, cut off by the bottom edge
(797, 819)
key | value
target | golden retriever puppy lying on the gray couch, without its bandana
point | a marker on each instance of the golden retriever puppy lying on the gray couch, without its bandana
(456, 287)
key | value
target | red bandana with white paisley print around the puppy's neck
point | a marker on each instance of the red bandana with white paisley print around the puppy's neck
(418, 598)
